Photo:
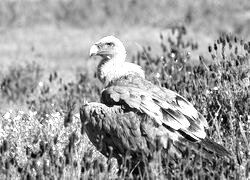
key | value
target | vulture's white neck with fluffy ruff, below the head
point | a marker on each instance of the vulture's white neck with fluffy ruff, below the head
(112, 68)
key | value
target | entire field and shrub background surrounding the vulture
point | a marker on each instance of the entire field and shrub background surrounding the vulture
(188, 46)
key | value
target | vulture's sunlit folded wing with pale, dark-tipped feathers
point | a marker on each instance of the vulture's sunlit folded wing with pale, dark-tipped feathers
(166, 107)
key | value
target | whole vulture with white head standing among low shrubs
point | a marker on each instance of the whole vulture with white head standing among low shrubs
(136, 117)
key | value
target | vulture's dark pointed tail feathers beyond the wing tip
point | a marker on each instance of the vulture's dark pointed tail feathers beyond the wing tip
(213, 147)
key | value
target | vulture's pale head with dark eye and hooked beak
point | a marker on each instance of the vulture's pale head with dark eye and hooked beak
(108, 47)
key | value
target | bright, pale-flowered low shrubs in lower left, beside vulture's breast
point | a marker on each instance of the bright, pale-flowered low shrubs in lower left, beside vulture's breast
(31, 149)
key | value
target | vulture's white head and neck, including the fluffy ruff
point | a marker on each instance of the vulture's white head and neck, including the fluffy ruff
(113, 64)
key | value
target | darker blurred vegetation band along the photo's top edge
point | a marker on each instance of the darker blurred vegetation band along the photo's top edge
(98, 12)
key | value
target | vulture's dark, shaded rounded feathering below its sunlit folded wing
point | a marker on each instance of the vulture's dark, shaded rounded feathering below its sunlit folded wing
(112, 127)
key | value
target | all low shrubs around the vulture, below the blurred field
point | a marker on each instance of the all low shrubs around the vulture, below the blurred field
(48, 141)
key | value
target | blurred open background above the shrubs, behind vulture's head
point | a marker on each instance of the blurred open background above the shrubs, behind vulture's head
(57, 33)
